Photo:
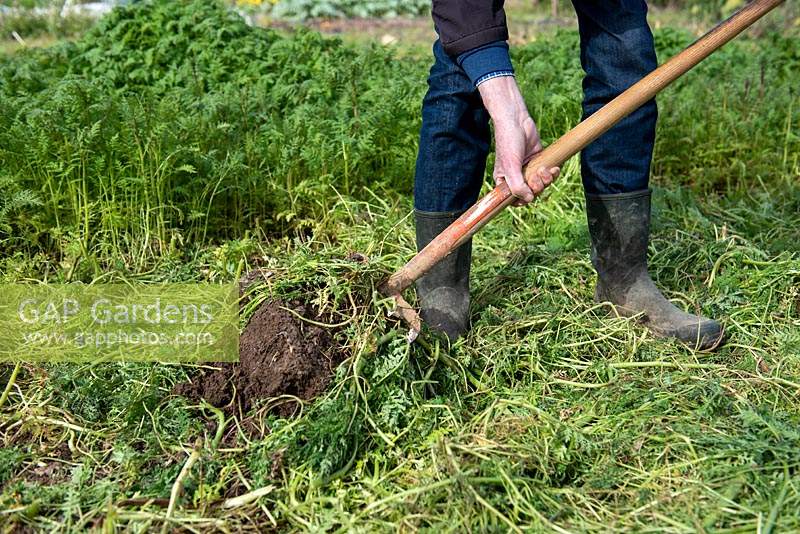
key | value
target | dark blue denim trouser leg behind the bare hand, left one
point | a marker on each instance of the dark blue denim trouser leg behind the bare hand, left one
(453, 142)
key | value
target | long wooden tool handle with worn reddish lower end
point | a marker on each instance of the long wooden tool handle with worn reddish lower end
(575, 140)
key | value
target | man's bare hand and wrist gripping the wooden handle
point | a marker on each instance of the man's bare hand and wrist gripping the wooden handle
(516, 139)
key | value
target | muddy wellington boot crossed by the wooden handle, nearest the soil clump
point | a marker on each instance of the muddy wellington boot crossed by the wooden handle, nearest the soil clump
(443, 293)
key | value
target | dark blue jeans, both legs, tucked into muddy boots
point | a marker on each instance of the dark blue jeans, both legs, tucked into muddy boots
(616, 51)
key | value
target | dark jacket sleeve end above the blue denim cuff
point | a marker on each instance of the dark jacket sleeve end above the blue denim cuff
(466, 24)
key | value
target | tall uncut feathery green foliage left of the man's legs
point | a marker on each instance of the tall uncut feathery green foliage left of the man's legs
(173, 122)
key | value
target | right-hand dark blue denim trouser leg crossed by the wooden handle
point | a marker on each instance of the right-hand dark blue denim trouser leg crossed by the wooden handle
(617, 50)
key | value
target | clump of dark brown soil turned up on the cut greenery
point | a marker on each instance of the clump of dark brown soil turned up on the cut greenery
(279, 354)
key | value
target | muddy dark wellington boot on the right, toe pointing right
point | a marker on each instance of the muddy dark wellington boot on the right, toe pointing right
(619, 226)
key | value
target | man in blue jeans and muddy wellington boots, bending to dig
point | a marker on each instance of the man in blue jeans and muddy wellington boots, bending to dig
(471, 82)
